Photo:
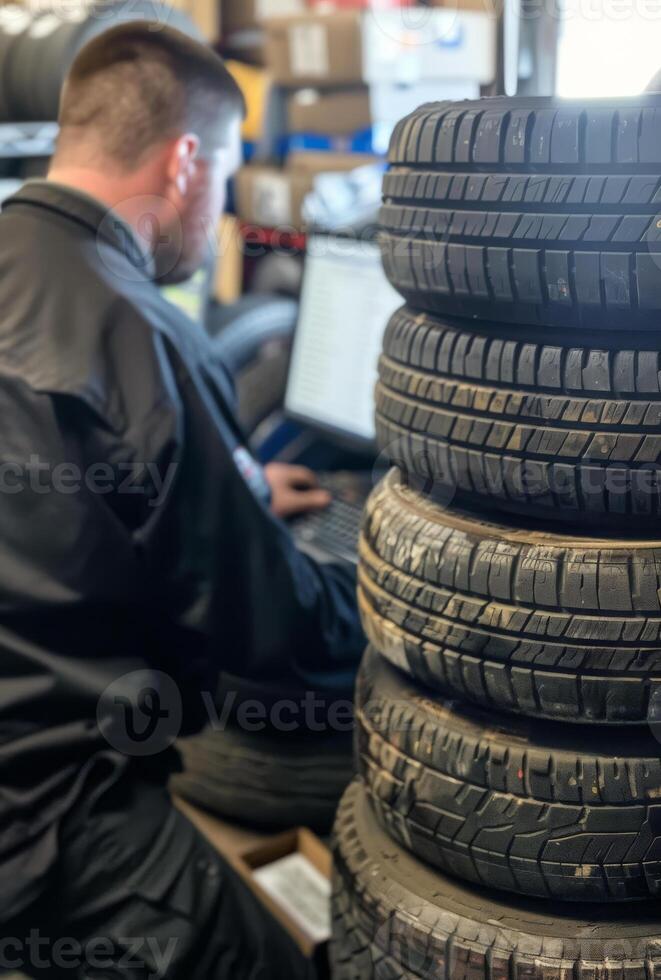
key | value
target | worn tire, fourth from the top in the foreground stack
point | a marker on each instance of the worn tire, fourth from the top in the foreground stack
(534, 808)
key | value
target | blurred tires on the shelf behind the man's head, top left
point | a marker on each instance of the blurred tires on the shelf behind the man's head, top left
(38, 46)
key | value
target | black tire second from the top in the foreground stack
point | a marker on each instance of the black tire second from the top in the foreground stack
(548, 429)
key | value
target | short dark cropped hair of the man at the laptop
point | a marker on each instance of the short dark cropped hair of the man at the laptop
(141, 83)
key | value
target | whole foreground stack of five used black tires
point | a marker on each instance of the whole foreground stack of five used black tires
(506, 822)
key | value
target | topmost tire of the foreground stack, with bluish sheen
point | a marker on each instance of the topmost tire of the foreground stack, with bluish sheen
(532, 210)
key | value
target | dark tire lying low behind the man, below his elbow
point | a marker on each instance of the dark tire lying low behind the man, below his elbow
(264, 781)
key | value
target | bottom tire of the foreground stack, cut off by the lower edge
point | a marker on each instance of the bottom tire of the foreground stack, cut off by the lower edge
(431, 926)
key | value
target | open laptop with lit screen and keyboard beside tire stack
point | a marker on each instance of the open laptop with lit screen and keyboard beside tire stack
(346, 303)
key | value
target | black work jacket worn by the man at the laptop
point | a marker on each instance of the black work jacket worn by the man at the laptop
(134, 535)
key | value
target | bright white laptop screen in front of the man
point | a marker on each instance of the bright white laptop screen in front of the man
(345, 307)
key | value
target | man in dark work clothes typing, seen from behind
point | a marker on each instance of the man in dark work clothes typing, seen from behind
(139, 549)
